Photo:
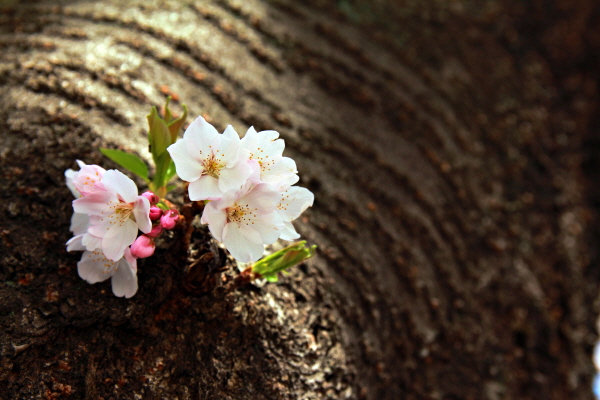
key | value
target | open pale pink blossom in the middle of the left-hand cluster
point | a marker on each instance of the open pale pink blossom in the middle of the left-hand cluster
(116, 214)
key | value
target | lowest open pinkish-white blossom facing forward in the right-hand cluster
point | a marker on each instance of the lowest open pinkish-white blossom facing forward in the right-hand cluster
(245, 220)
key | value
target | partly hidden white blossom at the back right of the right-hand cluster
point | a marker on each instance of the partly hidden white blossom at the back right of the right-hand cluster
(267, 149)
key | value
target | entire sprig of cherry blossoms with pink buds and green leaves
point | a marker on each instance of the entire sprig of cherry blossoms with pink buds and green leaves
(246, 186)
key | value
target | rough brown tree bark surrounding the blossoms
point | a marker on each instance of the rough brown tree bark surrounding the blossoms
(444, 142)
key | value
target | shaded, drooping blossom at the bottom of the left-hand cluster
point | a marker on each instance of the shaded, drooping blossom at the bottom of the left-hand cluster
(95, 267)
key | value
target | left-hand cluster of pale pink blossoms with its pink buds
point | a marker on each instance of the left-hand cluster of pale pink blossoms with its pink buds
(108, 215)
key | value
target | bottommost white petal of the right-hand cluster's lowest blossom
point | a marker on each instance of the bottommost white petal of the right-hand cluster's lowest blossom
(244, 244)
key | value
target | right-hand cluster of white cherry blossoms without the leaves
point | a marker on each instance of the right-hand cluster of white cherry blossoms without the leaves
(247, 185)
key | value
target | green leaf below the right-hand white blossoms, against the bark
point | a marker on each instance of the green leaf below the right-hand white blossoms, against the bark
(283, 259)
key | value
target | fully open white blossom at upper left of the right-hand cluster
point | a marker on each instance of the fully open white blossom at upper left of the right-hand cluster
(212, 163)
